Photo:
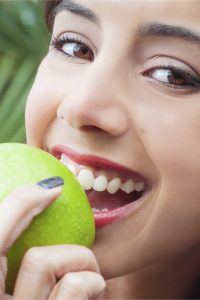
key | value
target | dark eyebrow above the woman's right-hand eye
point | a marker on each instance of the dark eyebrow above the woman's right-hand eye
(165, 30)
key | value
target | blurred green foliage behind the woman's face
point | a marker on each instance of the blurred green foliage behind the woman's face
(24, 41)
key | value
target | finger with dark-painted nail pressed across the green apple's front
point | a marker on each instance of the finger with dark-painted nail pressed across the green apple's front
(19, 208)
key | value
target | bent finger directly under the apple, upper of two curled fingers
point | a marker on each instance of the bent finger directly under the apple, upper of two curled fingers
(42, 267)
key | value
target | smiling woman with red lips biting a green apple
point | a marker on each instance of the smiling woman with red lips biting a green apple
(118, 97)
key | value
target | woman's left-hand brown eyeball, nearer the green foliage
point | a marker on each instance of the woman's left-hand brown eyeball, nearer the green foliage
(80, 51)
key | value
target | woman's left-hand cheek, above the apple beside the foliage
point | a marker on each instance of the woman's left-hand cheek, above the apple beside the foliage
(51, 86)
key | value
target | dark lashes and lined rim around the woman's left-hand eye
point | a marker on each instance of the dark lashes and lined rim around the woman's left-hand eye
(58, 43)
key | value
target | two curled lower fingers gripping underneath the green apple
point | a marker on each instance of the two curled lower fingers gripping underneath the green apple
(59, 272)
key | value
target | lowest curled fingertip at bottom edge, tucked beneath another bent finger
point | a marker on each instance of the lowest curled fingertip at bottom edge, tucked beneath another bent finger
(79, 285)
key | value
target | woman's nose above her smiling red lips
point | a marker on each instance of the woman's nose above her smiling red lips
(96, 102)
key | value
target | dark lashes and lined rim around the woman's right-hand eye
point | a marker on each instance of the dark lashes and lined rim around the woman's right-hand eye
(193, 82)
